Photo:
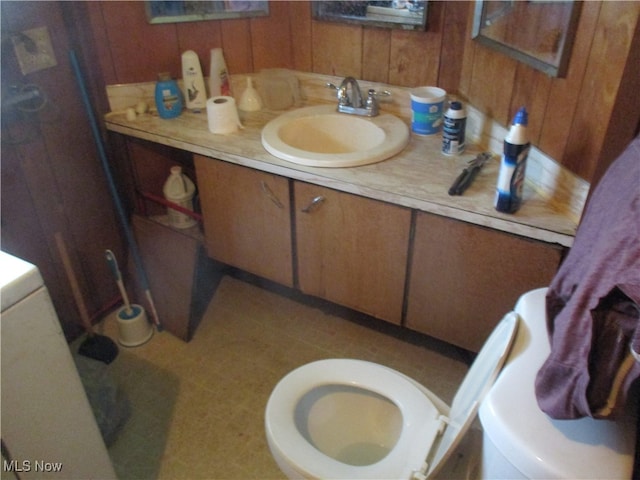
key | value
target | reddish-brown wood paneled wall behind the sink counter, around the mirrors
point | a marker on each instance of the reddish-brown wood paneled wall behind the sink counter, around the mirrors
(572, 119)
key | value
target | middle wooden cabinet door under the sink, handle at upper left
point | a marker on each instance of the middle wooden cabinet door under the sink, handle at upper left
(352, 250)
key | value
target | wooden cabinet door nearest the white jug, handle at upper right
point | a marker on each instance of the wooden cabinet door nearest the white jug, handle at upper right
(247, 218)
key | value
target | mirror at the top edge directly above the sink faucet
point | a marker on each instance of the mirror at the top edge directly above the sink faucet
(404, 14)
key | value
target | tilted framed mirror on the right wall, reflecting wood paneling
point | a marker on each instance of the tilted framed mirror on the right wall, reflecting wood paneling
(539, 33)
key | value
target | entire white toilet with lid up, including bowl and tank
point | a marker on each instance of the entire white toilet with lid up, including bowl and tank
(352, 419)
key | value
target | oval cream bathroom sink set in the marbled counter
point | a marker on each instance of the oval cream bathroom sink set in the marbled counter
(319, 136)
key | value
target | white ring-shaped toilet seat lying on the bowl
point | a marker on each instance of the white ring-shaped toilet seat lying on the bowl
(421, 419)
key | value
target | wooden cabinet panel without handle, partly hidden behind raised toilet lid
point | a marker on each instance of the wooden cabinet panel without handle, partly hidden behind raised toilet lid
(465, 278)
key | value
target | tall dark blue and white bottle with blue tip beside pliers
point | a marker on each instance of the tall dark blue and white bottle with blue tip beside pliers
(512, 167)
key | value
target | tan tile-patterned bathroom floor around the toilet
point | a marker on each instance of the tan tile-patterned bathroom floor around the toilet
(197, 407)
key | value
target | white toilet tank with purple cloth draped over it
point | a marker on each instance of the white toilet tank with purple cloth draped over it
(521, 441)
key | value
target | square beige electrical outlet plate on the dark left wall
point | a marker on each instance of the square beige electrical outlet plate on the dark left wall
(34, 50)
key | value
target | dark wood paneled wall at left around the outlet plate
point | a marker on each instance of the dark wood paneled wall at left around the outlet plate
(52, 180)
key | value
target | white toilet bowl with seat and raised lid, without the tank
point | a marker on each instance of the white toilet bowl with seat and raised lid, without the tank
(345, 418)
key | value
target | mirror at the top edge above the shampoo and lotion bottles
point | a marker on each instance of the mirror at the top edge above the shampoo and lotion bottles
(173, 11)
